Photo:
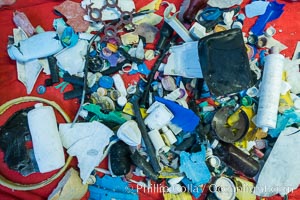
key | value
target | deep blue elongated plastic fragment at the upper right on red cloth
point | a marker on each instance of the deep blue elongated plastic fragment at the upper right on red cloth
(274, 11)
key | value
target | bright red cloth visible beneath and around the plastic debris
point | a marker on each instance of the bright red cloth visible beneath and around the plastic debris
(40, 12)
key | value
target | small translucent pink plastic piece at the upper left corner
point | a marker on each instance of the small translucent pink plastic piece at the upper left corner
(21, 20)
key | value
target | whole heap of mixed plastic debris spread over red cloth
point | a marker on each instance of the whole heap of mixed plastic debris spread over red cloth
(185, 100)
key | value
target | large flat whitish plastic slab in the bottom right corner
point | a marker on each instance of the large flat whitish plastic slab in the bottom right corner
(284, 161)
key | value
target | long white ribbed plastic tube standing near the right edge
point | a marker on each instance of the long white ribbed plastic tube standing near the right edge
(269, 91)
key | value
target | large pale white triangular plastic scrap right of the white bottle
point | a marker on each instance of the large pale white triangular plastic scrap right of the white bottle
(87, 142)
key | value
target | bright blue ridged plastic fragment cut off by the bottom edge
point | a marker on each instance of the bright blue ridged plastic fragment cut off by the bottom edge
(107, 188)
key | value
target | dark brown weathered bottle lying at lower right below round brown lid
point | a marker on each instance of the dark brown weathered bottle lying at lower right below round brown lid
(236, 159)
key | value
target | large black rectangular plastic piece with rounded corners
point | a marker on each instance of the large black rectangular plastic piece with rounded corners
(222, 56)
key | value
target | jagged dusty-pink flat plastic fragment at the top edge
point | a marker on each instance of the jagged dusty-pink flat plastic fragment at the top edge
(74, 14)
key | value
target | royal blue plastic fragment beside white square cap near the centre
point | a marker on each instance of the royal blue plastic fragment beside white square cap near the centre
(183, 117)
